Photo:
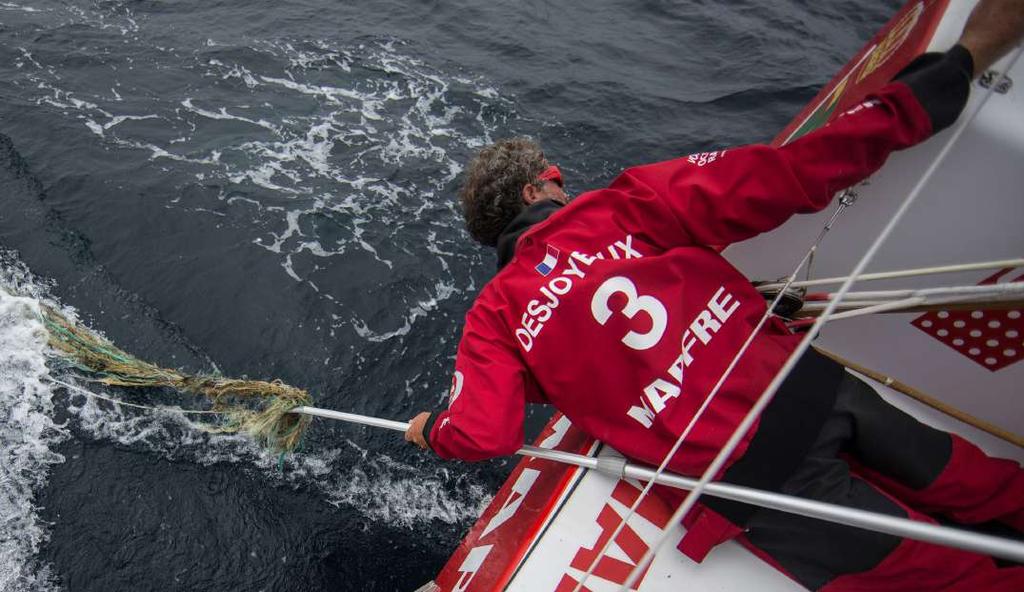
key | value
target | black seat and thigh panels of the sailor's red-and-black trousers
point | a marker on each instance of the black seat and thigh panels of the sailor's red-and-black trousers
(867, 432)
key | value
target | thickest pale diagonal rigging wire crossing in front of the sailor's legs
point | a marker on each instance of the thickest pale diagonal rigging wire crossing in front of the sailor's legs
(770, 393)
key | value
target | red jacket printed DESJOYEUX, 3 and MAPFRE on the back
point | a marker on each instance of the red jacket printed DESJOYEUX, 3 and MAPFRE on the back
(616, 310)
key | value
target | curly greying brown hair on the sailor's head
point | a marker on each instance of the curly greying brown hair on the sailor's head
(492, 195)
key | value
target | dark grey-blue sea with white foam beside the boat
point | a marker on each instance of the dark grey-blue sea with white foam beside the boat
(266, 189)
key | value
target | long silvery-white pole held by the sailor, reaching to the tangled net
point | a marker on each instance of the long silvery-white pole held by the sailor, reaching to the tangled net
(618, 468)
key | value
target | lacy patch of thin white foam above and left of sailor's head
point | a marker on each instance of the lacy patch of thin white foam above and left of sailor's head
(367, 113)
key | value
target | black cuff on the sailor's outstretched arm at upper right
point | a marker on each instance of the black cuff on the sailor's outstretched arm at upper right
(942, 82)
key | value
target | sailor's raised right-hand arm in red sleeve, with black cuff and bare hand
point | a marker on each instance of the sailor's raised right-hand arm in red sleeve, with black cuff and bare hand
(751, 190)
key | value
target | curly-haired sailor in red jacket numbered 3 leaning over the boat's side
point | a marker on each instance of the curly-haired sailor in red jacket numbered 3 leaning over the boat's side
(615, 309)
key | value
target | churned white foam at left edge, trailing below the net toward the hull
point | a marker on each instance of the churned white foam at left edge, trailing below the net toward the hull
(381, 489)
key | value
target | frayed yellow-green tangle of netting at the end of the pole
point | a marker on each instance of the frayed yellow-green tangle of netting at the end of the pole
(258, 408)
